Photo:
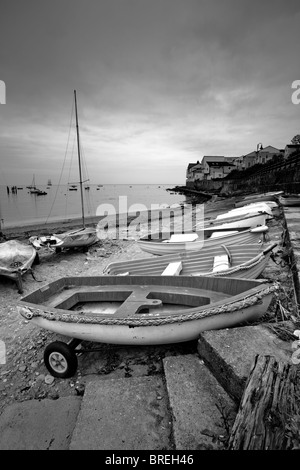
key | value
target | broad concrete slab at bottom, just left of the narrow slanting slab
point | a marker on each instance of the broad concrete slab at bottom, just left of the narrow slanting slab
(124, 414)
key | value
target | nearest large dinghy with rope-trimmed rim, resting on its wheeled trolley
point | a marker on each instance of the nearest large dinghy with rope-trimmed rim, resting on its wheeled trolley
(137, 310)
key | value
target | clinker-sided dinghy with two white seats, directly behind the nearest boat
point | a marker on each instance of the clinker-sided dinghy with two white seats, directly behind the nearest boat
(246, 261)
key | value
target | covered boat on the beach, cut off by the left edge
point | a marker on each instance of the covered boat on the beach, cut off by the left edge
(16, 259)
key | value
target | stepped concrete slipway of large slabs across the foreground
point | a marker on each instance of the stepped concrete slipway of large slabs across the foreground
(191, 405)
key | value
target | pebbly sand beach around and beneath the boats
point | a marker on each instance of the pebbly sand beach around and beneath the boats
(25, 377)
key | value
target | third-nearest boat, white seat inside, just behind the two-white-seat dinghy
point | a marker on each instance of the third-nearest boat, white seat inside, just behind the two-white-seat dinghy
(162, 243)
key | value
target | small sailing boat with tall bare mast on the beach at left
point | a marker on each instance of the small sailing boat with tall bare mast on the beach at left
(82, 237)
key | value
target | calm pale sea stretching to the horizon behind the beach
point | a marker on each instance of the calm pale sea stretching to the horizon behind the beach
(23, 208)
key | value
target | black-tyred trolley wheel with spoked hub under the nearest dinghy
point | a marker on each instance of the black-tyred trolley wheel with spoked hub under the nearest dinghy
(60, 359)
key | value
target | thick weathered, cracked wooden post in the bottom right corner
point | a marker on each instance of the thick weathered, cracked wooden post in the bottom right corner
(269, 414)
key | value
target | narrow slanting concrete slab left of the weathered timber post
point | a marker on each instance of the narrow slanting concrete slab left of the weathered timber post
(202, 411)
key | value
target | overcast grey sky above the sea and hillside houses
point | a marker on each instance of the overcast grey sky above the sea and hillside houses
(160, 83)
